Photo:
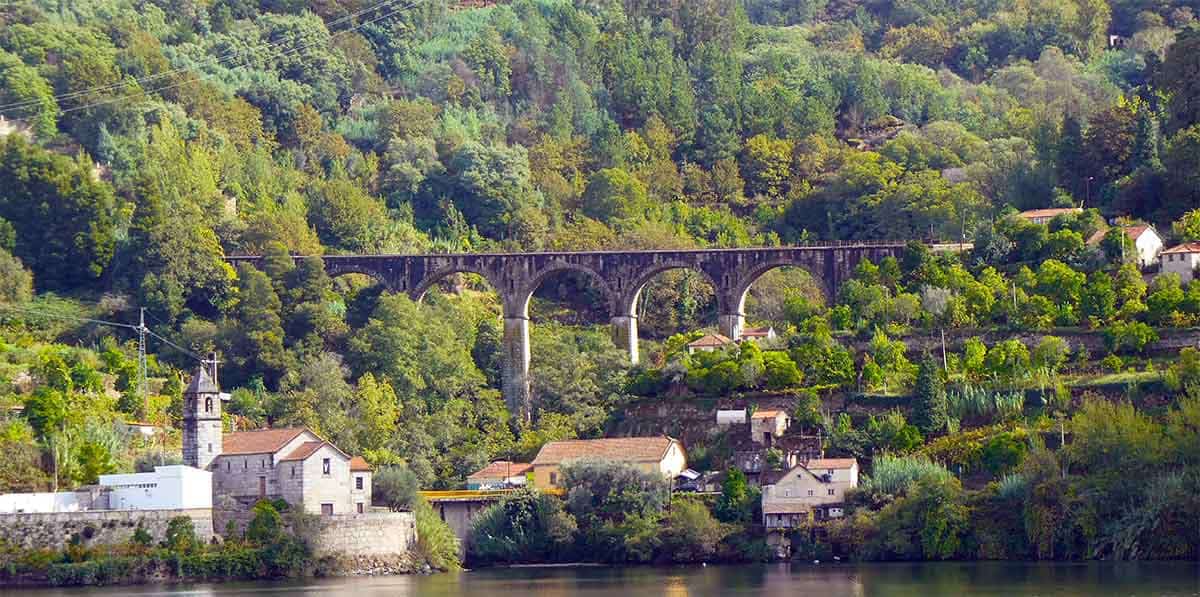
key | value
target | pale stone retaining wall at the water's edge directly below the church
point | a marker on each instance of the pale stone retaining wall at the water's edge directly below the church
(375, 534)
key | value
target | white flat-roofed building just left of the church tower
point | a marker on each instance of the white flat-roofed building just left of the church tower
(166, 489)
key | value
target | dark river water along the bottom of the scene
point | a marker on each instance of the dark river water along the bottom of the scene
(1100, 580)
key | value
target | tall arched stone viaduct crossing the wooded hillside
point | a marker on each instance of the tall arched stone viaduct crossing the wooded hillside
(619, 275)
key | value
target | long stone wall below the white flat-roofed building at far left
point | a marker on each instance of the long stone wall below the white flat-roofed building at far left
(56, 530)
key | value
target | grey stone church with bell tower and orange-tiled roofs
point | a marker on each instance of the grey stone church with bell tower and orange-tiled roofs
(293, 465)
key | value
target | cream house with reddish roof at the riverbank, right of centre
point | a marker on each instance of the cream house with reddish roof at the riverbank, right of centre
(813, 491)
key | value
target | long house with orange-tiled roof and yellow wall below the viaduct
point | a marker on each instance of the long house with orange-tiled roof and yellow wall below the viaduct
(661, 455)
